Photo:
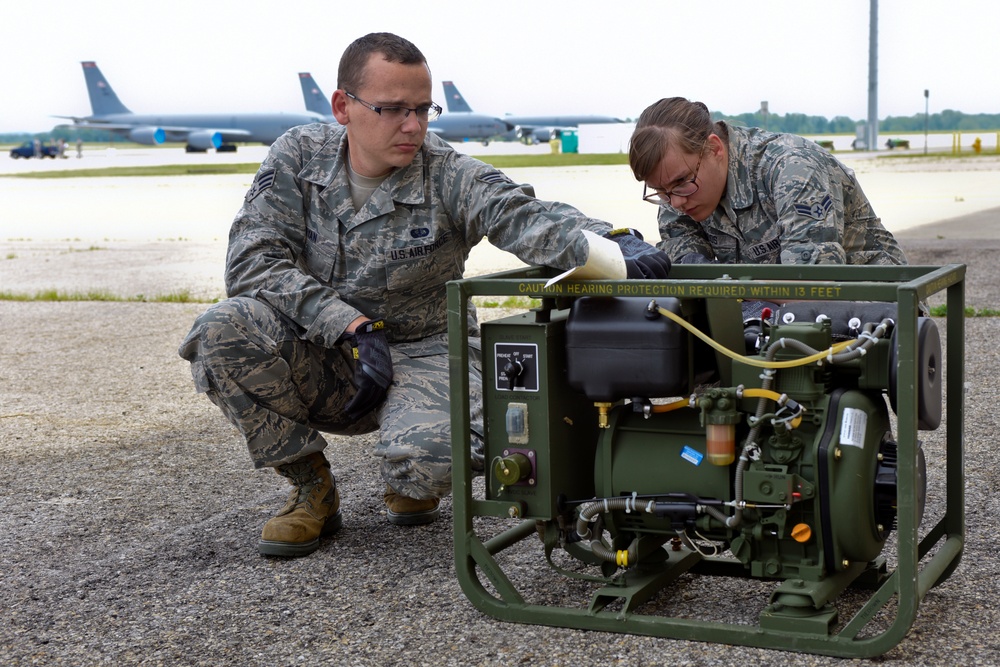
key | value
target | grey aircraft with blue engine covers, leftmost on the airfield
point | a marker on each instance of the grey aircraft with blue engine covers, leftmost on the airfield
(199, 131)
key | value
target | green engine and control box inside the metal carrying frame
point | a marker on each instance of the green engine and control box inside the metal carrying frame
(641, 445)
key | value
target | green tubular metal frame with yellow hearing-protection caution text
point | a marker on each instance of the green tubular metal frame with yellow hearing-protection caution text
(915, 572)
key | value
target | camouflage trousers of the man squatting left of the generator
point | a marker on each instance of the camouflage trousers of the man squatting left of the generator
(281, 391)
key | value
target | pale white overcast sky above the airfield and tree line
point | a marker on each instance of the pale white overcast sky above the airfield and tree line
(587, 56)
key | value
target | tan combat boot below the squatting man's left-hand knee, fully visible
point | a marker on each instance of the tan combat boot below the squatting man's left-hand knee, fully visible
(312, 510)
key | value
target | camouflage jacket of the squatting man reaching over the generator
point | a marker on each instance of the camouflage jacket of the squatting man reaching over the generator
(298, 244)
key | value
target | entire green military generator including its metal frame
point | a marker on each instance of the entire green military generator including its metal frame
(734, 438)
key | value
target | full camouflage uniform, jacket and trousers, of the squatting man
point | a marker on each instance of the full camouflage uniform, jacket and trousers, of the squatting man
(303, 264)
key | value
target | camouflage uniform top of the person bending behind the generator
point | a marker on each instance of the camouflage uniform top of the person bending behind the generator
(787, 201)
